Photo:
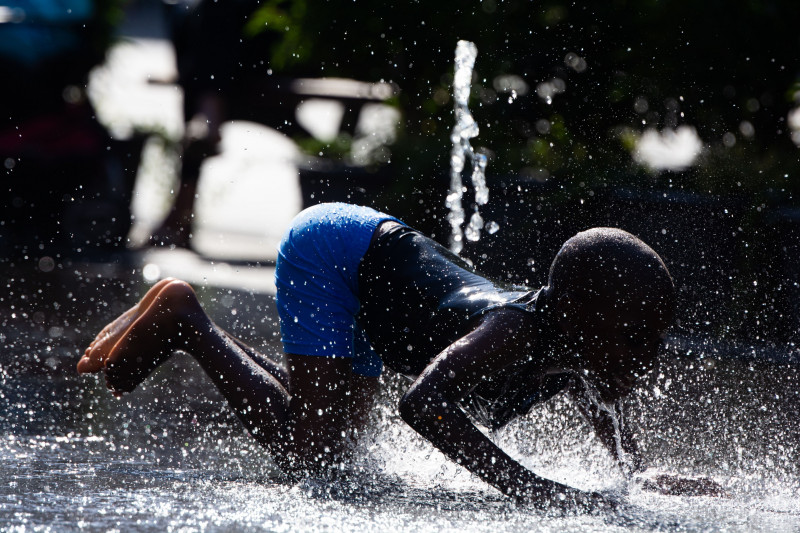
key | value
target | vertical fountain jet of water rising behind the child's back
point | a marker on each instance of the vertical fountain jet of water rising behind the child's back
(462, 152)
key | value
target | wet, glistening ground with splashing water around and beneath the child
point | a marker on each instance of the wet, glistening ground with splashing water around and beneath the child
(171, 456)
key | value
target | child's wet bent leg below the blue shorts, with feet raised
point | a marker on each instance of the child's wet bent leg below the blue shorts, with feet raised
(304, 431)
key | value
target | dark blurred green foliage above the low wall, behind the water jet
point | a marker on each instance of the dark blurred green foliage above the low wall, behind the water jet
(589, 78)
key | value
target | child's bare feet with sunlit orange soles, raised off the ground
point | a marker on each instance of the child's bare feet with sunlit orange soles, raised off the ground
(127, 355)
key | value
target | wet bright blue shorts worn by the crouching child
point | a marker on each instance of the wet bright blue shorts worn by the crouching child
(317, 281)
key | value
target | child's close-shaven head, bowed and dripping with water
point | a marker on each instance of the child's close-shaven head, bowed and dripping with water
(615, 299)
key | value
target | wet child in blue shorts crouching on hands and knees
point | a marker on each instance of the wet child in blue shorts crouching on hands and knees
(350, 279)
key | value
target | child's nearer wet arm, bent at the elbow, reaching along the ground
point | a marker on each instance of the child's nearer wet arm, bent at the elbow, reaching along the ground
(430, 408)
